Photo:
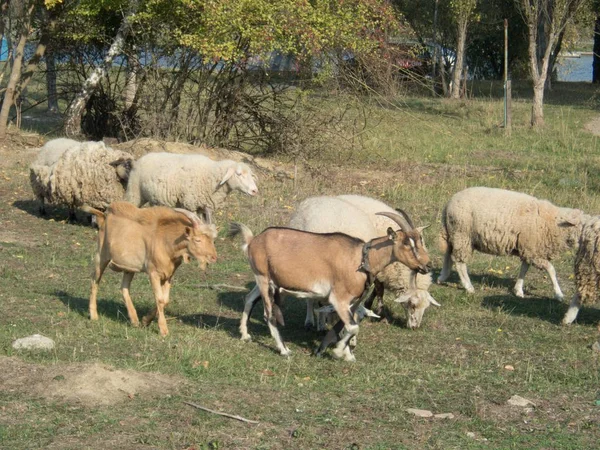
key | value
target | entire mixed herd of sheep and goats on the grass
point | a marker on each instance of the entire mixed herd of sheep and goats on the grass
(344, 250)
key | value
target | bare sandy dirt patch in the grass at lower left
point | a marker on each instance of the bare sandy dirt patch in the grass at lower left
(86, 384)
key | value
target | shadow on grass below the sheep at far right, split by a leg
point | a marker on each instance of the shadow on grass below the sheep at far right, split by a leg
(548, 309)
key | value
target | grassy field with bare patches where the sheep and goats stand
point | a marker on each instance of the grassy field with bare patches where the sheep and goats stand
(468, 358)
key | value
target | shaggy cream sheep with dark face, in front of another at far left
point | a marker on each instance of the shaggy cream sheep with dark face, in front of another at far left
(88, 174)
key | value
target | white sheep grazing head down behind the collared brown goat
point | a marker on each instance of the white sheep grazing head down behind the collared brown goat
(356, 215)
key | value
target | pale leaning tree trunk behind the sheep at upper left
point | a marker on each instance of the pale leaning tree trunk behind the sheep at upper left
(76, 109)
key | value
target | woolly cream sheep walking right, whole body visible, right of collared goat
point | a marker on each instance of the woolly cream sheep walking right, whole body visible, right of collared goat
(501, 222)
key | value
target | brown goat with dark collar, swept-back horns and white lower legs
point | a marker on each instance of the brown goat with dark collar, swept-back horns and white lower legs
(332, 266)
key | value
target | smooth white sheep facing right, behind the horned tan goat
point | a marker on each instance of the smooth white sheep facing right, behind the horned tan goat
(194, 182)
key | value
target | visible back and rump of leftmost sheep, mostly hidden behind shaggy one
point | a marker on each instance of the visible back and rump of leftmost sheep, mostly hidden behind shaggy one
(39, 171)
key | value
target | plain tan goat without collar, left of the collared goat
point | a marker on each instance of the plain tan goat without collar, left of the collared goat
(152, 240)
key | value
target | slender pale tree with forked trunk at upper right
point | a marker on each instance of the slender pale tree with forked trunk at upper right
(546, 20)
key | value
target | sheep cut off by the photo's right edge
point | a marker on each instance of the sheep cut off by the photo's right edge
(587, 269)
